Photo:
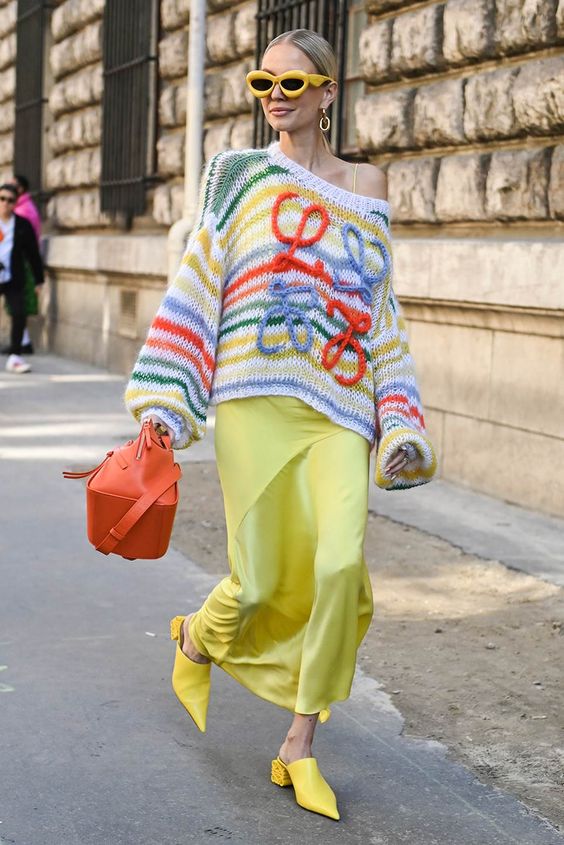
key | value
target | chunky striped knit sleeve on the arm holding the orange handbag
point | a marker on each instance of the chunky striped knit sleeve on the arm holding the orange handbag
(173, 373)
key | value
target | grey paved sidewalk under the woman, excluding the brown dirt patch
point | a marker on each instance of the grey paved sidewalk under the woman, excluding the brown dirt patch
(94, 747)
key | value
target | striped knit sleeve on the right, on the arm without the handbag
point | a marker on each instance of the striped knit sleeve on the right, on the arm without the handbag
(398, 405)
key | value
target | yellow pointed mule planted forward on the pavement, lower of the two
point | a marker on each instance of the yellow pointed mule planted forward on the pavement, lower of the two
(310, 787)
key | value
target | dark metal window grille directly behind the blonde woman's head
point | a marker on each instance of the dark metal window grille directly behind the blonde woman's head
(329, 19)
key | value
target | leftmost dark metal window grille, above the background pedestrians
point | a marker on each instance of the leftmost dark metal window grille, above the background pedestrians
(32, 19)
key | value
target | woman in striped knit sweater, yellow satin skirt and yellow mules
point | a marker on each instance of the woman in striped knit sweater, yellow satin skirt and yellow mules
(283, 315)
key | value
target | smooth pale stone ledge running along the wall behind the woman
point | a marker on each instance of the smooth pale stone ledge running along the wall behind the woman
(511, 273)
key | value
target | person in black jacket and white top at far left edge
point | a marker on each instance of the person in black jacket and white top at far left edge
(18, 244)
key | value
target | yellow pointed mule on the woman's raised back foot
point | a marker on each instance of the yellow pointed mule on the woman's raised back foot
(190, 680)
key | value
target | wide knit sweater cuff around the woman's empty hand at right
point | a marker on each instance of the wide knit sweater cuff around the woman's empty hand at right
(414, 474)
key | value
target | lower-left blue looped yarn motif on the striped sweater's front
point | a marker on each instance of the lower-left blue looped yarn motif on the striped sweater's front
(294, 313)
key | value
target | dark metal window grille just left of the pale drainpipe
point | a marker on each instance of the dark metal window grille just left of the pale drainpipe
(129, 104)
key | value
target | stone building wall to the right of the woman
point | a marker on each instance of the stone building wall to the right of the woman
(465, 110)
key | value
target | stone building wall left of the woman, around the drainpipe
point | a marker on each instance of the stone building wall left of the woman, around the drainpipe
(106, 283)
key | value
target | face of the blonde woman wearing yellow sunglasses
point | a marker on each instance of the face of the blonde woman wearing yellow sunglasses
(288, 115)
